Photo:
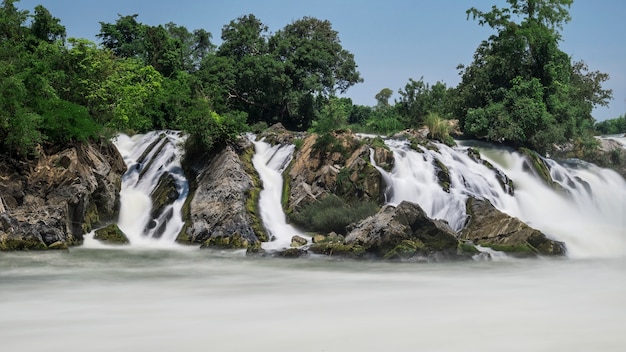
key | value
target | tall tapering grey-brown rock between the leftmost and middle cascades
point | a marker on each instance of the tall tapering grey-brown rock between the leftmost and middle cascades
(218, 213)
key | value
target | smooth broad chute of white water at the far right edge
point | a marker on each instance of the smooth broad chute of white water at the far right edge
(588, 212)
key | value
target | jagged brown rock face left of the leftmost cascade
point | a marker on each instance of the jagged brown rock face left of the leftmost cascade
(52, 201)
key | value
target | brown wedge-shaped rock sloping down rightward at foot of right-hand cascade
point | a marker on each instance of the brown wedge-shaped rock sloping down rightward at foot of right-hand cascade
(490, 227)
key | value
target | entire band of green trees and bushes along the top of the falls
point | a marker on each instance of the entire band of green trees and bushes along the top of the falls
(521, 89)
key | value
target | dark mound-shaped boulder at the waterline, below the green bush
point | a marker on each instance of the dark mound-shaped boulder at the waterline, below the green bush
(405, 232)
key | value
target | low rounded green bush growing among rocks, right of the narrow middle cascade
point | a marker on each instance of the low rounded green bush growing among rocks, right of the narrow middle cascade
(332, 214)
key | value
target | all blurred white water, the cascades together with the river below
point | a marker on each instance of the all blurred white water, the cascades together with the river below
(155, 295)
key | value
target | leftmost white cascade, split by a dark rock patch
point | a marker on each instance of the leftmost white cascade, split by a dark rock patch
(150, 158)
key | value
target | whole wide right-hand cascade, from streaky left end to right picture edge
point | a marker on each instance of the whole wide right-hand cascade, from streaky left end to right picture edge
(587, 210)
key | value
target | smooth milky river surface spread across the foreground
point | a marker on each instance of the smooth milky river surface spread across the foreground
(189, 299)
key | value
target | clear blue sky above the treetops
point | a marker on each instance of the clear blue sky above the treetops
(392, 40)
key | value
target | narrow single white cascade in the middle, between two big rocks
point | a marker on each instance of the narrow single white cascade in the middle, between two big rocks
(270, 162)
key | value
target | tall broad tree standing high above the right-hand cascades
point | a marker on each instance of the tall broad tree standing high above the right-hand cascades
(521, 89)
